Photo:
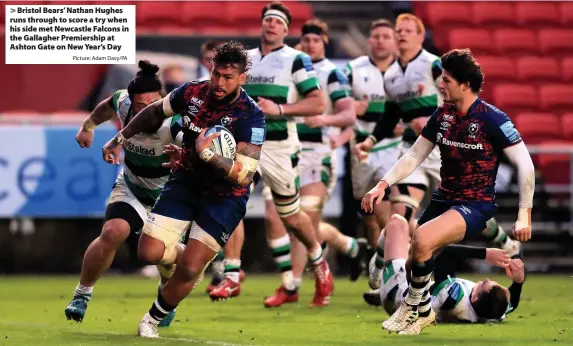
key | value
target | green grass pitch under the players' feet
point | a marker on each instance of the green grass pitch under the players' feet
(32, 313)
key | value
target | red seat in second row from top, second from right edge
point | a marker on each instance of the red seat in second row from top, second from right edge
(515, 41)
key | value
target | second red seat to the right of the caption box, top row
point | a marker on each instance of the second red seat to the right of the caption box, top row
(197, 15)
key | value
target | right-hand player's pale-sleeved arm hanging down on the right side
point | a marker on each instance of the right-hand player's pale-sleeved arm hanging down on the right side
(519, 156)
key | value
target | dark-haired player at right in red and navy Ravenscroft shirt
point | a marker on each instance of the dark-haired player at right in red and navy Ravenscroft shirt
(471, 135)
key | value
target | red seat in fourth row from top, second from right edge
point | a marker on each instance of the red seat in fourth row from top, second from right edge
(515, 97)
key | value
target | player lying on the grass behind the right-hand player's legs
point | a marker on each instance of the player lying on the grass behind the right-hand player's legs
(453, 299)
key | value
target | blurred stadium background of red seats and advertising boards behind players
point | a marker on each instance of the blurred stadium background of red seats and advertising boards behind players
(524, 48)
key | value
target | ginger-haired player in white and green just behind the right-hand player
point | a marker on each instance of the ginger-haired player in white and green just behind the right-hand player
(411, 85)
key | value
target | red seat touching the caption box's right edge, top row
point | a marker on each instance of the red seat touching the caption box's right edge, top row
(158, 13)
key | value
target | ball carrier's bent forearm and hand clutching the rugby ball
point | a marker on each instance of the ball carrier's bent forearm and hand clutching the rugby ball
(239, 171)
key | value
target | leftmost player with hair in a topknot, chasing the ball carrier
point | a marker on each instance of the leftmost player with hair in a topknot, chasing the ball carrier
(138, 184)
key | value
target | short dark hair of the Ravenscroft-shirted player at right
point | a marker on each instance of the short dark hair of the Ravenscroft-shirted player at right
(461, 64)
